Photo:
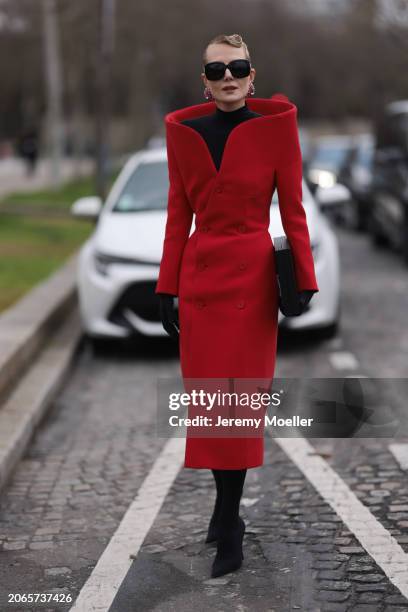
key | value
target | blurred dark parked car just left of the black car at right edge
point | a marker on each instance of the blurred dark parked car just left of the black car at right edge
(356, 173)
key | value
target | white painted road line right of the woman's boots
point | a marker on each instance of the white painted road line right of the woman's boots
(376, 540)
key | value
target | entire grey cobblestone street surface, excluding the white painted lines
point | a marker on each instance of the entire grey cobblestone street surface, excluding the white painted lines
(98, 443)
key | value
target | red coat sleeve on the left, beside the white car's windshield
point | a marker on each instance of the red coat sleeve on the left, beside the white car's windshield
(178, 225)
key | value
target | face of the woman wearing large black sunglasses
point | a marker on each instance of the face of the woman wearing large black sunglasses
(227, 99)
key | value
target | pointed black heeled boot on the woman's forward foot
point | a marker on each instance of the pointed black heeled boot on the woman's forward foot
(229, 555)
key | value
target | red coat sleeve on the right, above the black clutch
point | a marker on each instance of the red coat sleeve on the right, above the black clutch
(289, 186)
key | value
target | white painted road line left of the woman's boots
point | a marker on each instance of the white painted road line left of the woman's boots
(99, 591)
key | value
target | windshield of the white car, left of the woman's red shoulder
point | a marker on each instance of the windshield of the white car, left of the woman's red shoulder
(146, 189)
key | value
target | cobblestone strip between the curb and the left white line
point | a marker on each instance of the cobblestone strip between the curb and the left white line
(81, 472)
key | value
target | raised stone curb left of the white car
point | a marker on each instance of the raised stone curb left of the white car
(39, 336)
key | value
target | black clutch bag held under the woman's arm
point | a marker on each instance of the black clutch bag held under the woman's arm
(289, 302)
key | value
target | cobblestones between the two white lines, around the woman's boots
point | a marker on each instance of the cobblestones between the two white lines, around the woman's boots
(298, 554)
